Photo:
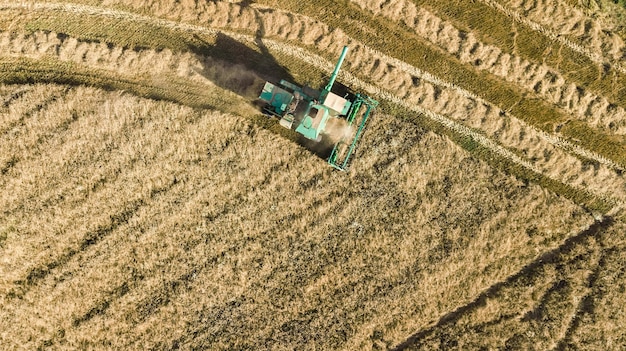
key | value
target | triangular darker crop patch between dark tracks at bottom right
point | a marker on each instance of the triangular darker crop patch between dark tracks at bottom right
(561, 290)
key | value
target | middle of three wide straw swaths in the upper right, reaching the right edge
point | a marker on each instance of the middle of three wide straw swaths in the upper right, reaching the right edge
(546, 81)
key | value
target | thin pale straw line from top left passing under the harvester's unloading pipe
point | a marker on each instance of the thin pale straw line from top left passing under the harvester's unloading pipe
(315, 61)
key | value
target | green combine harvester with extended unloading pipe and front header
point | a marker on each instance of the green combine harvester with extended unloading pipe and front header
(309, 111)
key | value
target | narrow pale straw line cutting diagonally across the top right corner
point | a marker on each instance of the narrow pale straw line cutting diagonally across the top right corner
(516, 16)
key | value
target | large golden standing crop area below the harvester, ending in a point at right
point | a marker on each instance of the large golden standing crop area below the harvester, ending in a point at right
(195, 213)
